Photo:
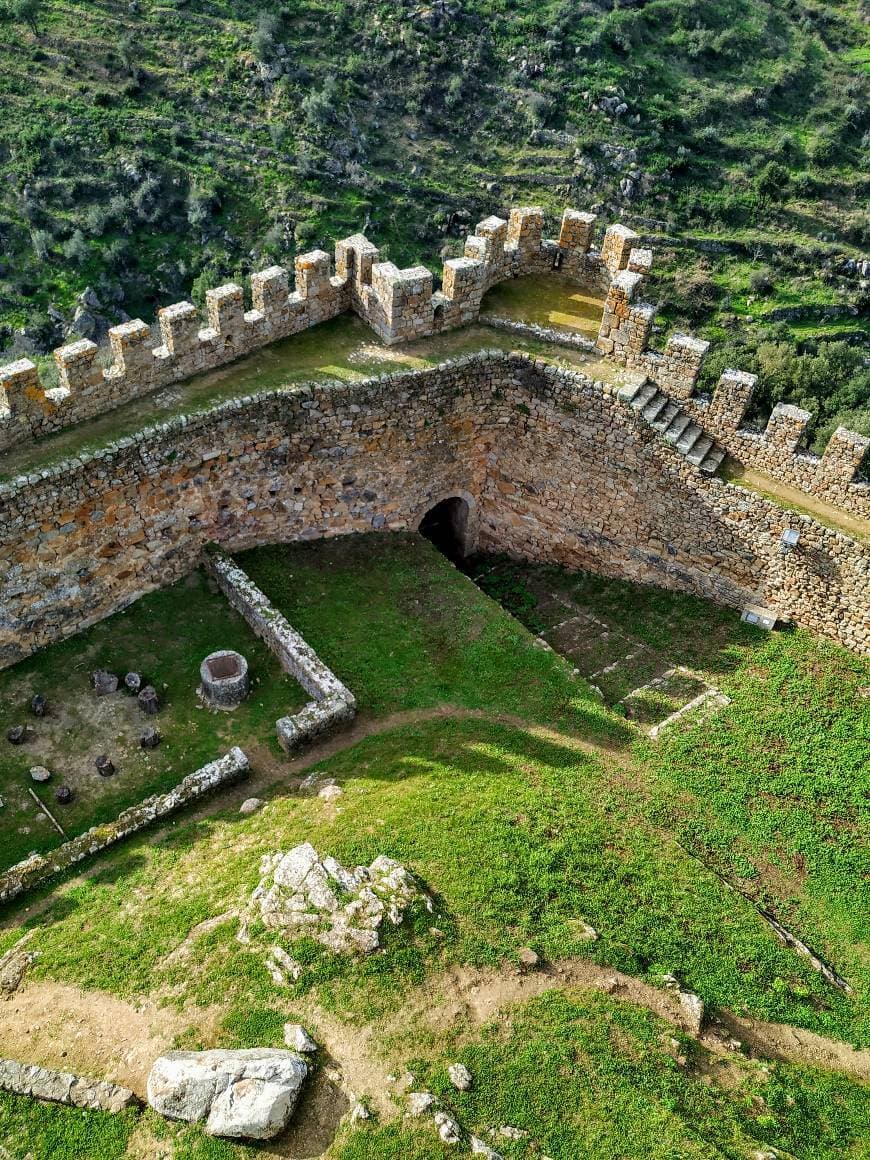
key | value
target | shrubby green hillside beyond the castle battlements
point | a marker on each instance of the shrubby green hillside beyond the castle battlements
(151, 149)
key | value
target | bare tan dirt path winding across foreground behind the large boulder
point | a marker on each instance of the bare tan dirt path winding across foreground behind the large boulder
(99, 1035)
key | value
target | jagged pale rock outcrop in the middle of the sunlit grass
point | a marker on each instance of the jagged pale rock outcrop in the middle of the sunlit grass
(302, 894)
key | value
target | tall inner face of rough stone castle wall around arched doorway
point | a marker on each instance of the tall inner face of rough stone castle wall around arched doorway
(559, 467)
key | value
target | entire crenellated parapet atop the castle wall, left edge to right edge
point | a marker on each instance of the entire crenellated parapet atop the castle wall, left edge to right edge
(401, 306)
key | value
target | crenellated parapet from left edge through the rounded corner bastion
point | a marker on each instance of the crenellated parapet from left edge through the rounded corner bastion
(400, 306)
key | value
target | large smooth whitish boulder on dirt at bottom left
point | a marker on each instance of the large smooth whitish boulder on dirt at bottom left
(248, 1094)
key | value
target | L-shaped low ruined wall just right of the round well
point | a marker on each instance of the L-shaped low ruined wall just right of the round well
(335, 705)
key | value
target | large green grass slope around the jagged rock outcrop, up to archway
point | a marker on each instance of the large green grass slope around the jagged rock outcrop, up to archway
(524, 833)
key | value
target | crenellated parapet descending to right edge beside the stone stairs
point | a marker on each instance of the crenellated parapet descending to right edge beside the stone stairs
(777, 452)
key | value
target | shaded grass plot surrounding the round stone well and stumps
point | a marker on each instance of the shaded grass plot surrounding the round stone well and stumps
(164, 637)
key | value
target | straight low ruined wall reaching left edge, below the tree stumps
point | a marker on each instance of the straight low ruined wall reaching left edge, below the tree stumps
(37, 869)
